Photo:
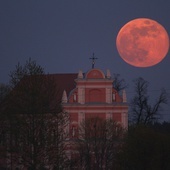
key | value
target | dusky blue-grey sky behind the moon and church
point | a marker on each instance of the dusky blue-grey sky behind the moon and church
(61, 35)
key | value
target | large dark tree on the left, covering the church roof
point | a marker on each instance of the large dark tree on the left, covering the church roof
(36, 121)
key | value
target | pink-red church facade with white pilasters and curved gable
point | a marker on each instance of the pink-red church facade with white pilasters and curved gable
(94, 96)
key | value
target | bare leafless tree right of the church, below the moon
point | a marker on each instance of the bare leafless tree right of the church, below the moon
(141, 110)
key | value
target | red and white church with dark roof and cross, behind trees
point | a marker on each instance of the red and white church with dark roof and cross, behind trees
(82, 95)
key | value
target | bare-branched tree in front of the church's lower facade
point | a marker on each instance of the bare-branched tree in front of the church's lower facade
(98, 143)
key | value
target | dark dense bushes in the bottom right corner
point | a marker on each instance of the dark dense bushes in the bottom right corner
(145, 148)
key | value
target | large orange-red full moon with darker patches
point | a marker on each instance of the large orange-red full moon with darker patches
(142, 42)
